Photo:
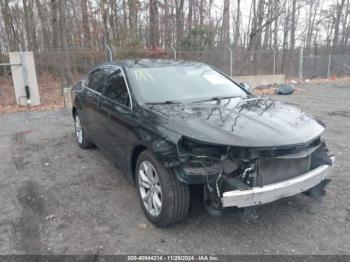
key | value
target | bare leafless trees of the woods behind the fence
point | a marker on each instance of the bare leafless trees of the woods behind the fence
(61, 27)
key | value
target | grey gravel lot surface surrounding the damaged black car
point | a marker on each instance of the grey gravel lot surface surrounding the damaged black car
(56, 198)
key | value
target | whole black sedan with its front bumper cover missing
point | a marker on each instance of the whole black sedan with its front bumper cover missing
(171, 124)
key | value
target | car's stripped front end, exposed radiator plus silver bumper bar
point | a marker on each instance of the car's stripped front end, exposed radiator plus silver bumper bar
(243, 177)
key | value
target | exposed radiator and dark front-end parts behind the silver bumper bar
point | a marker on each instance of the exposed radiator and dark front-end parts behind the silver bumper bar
(227, 168)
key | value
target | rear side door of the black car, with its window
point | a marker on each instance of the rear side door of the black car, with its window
(94, 86)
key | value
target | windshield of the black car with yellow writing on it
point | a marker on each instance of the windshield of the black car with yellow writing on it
(183, 83)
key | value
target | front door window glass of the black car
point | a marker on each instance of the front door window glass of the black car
(116, 89)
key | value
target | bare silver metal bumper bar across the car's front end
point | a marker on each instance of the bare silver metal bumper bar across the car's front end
(272, 192)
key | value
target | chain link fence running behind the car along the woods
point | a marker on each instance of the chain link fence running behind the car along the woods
(57, 69)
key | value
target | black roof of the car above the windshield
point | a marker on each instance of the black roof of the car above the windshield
(143, 62)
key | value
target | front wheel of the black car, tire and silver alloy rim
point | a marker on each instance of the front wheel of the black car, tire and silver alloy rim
(164, 199)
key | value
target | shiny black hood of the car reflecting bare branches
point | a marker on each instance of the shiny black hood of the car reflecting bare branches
(252, 122)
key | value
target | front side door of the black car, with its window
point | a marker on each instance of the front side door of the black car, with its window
(117, 116)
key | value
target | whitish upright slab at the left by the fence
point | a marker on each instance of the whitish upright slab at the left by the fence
(23, 75)
